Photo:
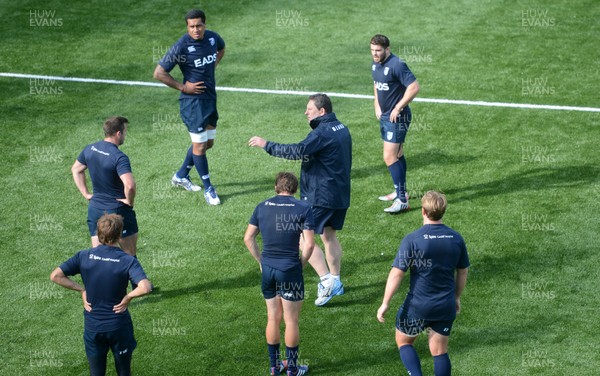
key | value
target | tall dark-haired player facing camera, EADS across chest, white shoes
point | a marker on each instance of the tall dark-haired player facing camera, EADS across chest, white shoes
(197, 53)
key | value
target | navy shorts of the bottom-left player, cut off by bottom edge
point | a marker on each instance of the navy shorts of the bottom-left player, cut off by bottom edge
(121, 342)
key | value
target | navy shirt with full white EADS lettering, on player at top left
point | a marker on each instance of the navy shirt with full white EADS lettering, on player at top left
(197, 60)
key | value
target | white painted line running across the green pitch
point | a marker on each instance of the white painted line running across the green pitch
(306, 93)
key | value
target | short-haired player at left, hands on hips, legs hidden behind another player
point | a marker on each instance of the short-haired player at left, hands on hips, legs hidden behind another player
(112, 182)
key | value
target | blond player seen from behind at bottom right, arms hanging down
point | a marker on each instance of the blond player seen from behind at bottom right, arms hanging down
(438, 262)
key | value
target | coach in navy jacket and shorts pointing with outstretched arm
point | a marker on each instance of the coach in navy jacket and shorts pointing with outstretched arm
(326, 155)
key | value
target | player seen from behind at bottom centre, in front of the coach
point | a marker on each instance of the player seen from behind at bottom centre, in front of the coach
(281, 220)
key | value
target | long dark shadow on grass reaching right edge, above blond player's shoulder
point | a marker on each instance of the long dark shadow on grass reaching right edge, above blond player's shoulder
(531, 180)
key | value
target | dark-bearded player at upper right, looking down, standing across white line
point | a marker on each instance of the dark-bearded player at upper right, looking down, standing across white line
(394, 87)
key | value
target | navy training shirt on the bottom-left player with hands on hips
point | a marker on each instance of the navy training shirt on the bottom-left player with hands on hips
(105, 271)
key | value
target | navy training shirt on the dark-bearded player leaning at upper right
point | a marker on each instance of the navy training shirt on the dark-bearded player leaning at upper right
(391, 78)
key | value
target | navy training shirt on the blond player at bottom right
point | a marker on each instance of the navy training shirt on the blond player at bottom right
(432, 253)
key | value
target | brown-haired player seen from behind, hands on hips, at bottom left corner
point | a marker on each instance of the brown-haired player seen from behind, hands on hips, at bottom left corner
(105, 271)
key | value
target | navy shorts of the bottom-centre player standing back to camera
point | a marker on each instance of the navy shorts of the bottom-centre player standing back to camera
(288, 284)
